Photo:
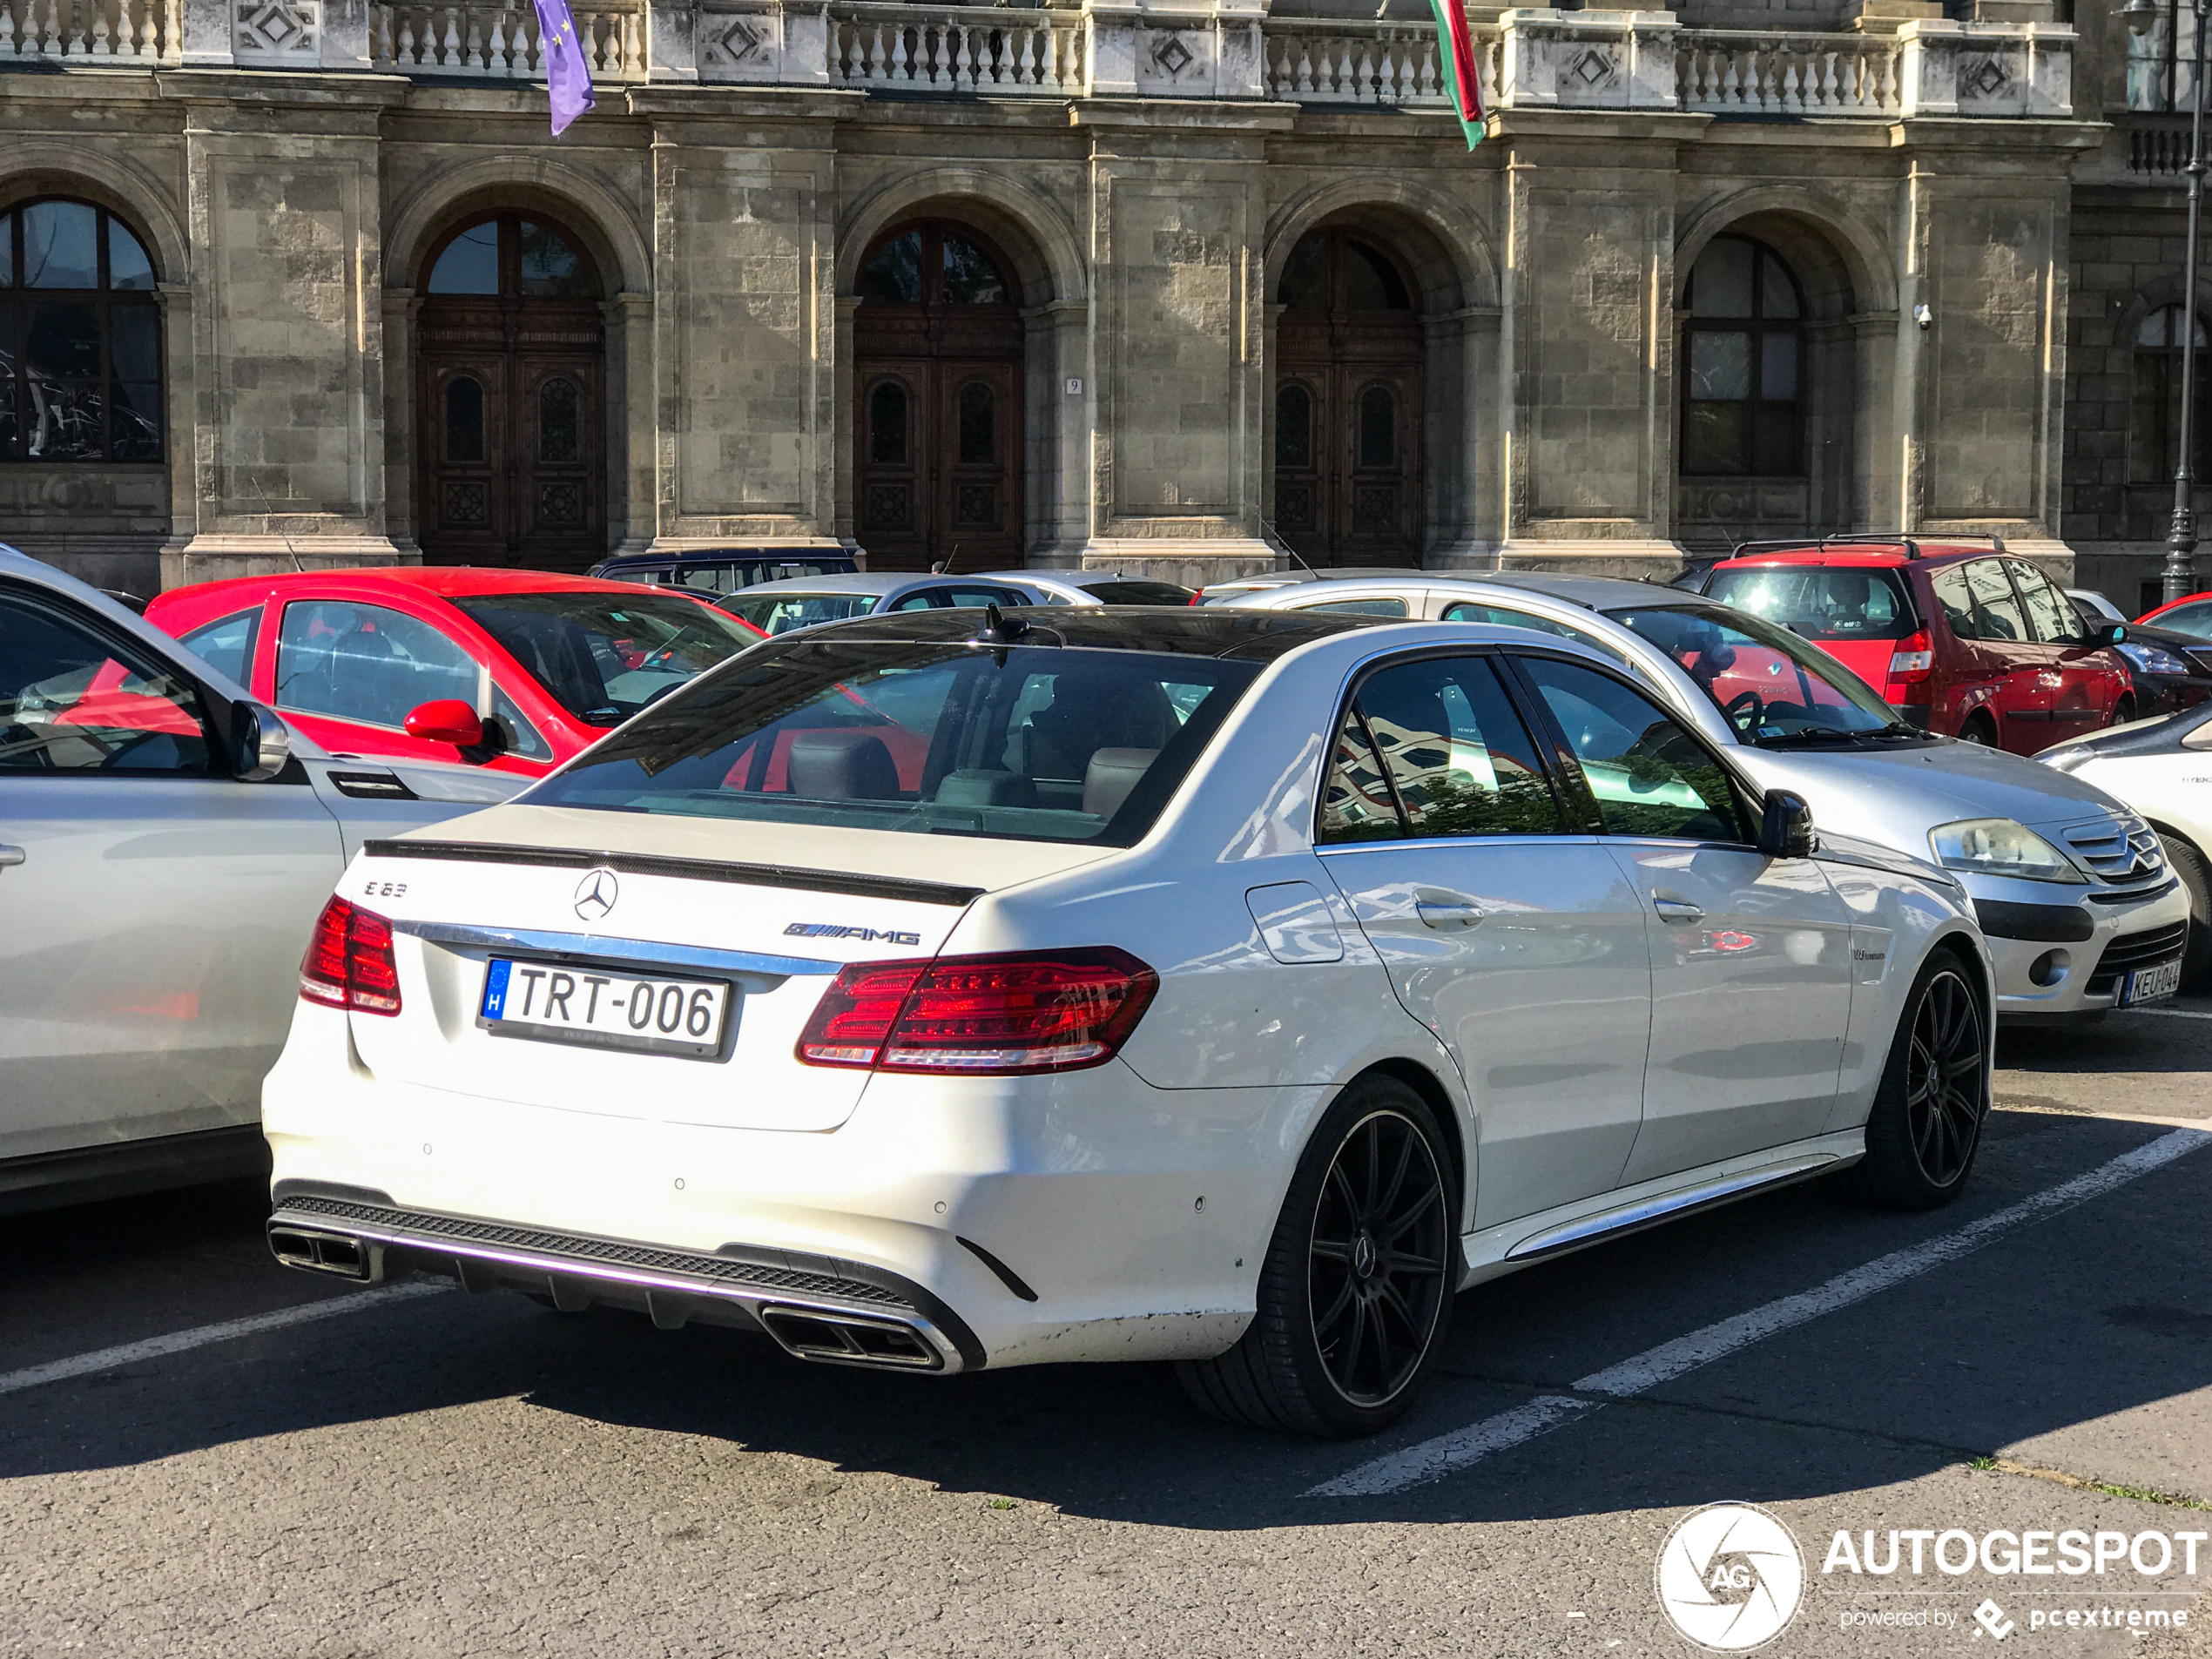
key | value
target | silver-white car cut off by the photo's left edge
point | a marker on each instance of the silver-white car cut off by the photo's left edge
(165, 851)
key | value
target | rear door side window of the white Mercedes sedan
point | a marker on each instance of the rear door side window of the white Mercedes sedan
(1434, 749)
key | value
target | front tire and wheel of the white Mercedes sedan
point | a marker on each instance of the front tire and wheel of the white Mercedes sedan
(1934, 1098)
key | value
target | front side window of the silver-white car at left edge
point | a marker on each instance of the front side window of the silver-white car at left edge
(74, 702)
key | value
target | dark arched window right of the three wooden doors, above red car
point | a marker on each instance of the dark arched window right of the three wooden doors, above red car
(1742, 364)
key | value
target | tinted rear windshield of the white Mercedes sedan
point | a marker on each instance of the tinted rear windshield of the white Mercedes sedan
(930, 738)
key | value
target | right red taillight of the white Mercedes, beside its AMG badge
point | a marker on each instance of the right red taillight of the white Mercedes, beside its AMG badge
(981, 1014)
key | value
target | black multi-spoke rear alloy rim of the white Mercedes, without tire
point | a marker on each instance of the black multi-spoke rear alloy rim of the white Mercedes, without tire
(1379, 1260)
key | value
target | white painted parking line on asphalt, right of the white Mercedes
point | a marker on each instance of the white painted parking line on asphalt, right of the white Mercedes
(1452, 1452)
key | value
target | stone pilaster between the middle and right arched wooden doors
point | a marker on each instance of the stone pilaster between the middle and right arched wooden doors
(1176, 333)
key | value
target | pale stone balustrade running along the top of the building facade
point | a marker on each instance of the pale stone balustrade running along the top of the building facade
(1211, 50)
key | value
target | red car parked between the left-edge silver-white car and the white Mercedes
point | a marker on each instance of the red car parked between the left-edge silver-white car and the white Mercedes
(508, 669)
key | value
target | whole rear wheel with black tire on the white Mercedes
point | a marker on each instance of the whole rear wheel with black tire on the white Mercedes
(1350, 1315)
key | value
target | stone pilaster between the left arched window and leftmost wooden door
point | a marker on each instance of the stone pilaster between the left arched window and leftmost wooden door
(286, 333)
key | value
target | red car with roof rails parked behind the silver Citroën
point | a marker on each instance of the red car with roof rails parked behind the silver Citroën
(1963, 640)
